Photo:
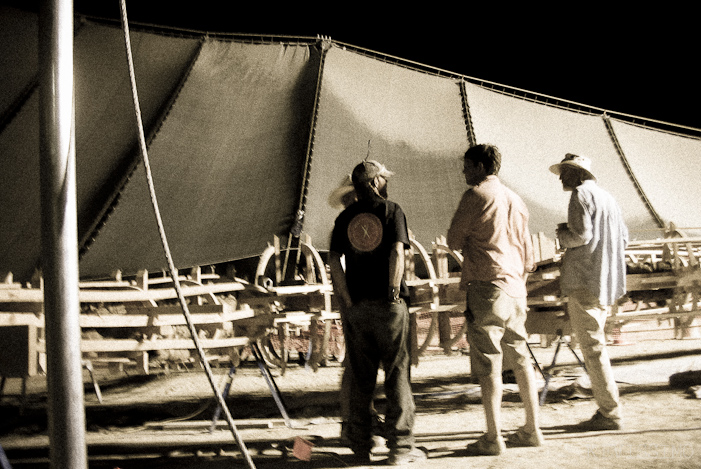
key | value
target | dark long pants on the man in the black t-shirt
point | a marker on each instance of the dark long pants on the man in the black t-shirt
(378, 331)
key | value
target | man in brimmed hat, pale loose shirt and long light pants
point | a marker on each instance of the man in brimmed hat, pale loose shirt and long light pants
(593, 277)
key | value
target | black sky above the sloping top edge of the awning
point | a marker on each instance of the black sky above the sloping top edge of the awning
(637, 61)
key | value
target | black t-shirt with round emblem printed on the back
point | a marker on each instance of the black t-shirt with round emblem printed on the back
(365, 233)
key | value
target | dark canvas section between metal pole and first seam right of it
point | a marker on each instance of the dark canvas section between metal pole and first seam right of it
(106, 137)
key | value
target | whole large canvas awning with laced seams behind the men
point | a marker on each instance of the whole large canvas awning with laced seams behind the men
(245, 135)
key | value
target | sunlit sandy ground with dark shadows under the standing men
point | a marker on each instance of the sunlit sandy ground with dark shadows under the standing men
(164, 420)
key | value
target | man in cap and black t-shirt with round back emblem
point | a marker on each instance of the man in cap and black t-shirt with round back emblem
(370, 237)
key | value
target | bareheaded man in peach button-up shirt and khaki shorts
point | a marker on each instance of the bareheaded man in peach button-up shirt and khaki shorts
(490, 226)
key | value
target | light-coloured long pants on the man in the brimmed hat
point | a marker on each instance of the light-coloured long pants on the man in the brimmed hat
(588, 318)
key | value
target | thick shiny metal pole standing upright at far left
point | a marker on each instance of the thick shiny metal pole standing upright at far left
(59, 236)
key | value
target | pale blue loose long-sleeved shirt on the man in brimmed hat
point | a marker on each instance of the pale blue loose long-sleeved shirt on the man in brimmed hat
(596, 239)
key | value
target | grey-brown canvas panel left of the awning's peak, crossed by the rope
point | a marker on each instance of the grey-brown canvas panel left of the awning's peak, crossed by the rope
(227, 162)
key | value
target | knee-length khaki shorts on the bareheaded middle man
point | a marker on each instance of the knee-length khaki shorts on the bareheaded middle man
(496, 331)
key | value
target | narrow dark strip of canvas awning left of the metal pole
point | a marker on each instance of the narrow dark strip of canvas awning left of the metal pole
(19, 143)
